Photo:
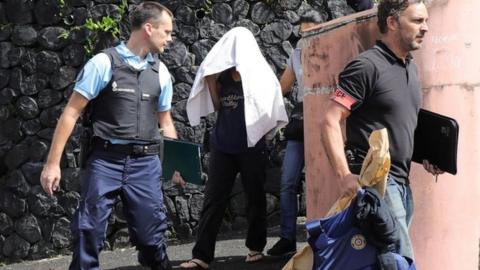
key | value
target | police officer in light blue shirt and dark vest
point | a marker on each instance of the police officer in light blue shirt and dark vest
(130, 92)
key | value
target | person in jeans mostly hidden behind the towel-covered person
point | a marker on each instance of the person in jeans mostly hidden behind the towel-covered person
(293, 161)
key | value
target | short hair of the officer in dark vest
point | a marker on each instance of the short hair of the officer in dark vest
(147, 11)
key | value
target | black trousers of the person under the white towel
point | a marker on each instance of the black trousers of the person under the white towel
(223, 169)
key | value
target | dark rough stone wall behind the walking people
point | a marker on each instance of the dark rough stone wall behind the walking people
(44, 43)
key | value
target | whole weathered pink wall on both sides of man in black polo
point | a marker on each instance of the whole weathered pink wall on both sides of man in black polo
(446, 227)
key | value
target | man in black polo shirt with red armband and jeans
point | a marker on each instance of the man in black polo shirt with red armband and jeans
(381, 89)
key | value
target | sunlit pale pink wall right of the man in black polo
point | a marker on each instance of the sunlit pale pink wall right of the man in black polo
(446, 224)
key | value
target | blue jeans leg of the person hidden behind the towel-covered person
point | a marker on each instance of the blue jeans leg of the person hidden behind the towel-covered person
(293, 163)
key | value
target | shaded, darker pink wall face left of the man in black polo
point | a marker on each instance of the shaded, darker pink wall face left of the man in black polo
(326, 51)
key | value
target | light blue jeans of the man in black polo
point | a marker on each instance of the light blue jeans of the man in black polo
(400, 200)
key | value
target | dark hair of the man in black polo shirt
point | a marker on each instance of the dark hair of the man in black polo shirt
(394, 8)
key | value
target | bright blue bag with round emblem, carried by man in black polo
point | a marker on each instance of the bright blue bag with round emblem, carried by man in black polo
(339, 244)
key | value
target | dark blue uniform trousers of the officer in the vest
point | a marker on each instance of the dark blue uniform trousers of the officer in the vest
(136, 179)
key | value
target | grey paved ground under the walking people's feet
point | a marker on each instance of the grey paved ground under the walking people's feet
(229, 255)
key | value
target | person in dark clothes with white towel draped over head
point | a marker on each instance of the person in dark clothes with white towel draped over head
(235, 80)
